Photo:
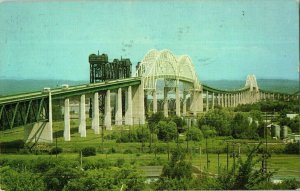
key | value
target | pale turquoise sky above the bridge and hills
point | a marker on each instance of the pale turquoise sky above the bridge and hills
(225, 39)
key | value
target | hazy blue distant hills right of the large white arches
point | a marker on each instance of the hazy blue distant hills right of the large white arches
(276, 85)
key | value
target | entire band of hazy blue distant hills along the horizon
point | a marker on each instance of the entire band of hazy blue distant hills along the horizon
(8, 87)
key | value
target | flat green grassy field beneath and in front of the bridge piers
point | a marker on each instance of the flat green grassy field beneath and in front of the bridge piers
(133, 153)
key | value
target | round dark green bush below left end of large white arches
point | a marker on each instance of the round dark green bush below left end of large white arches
(167, 131)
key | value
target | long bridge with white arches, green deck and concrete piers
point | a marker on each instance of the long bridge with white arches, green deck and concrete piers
(163, 82)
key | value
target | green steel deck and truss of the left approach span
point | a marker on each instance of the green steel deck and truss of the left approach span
(27, 108)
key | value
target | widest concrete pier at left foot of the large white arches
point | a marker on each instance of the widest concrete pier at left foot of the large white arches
(138, 105)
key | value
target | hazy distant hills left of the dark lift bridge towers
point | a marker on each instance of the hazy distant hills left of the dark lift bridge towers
(8, 87)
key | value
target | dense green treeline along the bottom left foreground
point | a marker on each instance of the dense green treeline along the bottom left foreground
(63, 174)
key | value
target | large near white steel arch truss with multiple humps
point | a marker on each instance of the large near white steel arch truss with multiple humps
(165, 65)
